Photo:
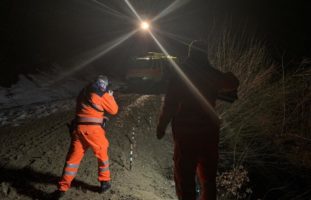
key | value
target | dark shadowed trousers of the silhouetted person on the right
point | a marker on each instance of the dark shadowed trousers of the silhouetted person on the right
(194, 155)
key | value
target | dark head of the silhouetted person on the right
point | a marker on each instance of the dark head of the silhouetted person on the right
(198, 51)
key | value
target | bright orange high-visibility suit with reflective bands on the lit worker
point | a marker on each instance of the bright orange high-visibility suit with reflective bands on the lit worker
(91, 106)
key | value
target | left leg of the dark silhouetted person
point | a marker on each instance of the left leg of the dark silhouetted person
(184, 174)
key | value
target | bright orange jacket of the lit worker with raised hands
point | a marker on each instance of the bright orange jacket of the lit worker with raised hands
(92, 104)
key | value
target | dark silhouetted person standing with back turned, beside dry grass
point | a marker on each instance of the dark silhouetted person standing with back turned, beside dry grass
(195, 130)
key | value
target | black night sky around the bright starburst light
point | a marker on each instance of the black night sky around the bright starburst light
(37, 34)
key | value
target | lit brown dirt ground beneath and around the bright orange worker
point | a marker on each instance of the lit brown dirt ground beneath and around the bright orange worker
(32, 156)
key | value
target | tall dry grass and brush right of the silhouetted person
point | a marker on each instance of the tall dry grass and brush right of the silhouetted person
(267, 130)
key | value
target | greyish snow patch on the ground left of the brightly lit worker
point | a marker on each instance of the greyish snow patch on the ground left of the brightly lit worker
(39, 97)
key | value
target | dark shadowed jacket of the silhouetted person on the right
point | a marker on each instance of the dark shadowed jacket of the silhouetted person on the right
(182, 104)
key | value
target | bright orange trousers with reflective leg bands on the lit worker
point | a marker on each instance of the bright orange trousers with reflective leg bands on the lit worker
(83, 137)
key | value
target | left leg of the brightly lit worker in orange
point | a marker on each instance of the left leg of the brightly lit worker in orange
(74, 157)
